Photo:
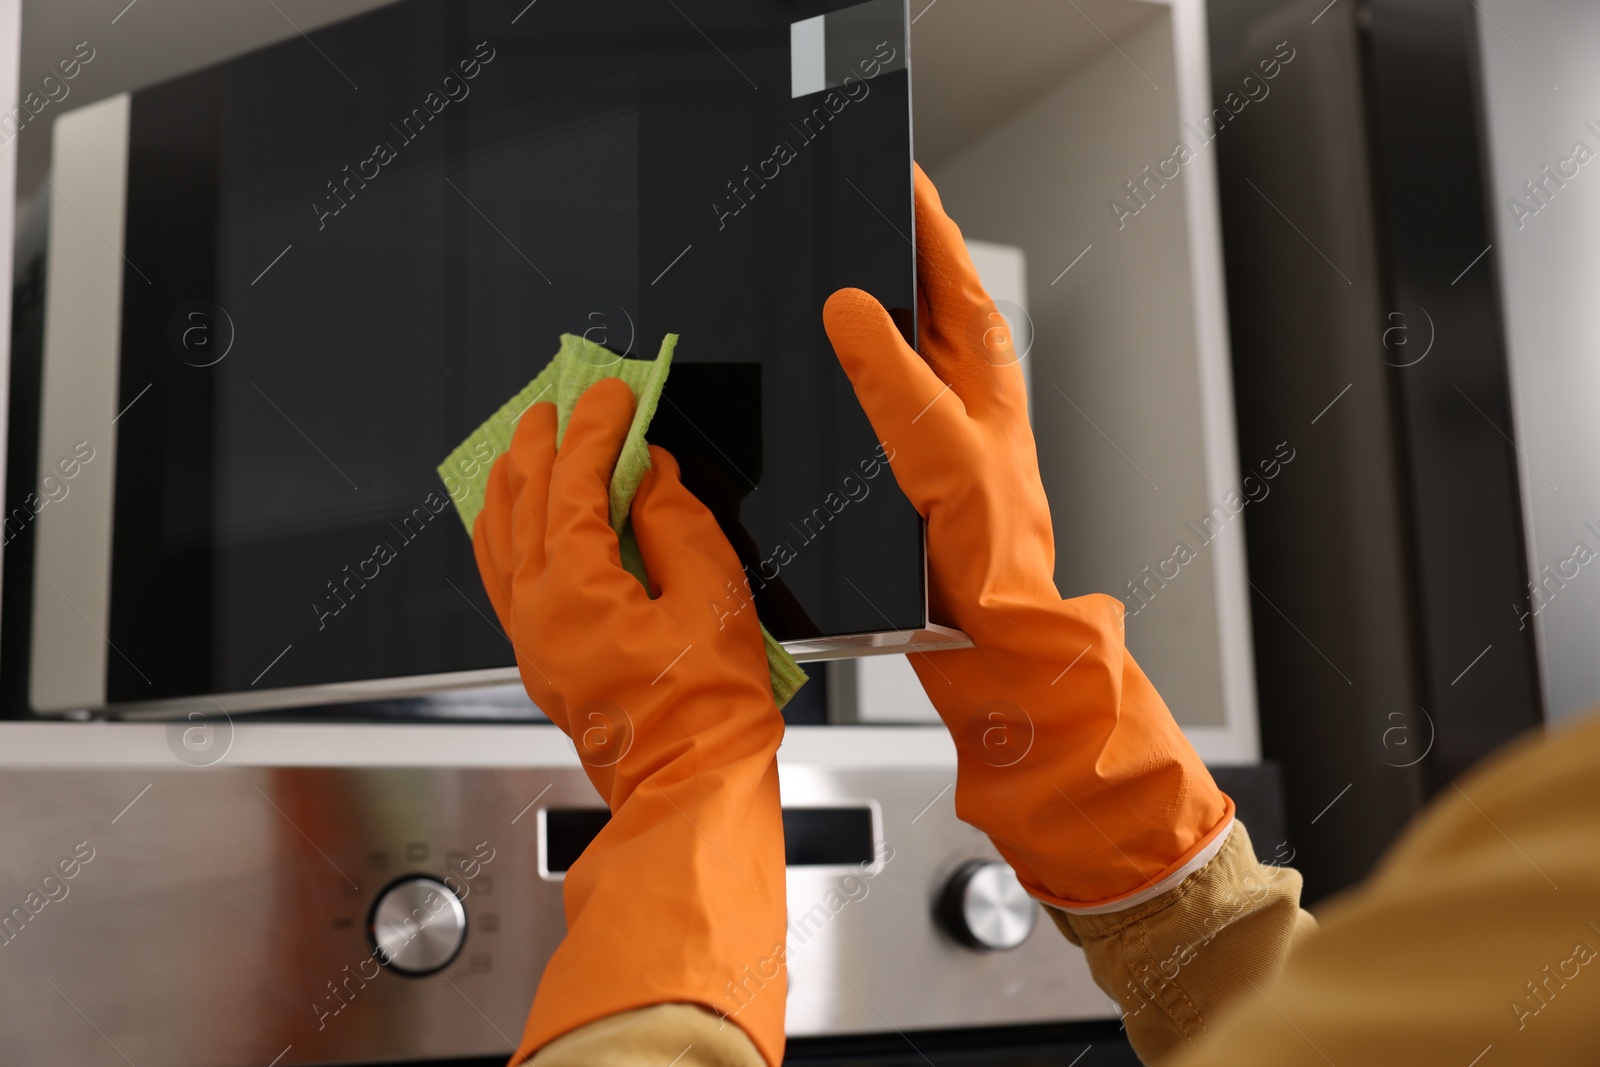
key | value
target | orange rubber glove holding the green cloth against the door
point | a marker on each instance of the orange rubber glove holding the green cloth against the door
(673, 716)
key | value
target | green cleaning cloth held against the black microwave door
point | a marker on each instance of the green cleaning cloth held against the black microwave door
(575, 369)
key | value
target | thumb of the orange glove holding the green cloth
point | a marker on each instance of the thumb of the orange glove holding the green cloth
(684, 549)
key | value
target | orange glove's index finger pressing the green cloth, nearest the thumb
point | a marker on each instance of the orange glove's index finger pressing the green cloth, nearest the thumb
(580, 541)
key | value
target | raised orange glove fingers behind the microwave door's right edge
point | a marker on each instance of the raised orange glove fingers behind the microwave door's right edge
(964, 335)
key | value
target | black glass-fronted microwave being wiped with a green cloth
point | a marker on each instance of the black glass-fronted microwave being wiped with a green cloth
(265, 298)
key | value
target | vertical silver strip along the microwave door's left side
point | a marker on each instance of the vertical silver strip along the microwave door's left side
(79, 404)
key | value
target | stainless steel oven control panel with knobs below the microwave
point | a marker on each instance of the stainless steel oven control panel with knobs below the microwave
(223, 885)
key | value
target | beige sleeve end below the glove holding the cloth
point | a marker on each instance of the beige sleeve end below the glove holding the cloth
(682, 1036)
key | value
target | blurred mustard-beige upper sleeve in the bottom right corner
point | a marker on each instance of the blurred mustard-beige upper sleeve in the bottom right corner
(1473, 945)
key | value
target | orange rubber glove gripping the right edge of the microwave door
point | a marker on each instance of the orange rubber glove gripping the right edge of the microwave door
(1068, 757)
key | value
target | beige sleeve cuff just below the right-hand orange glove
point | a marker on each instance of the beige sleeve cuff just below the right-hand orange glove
(1182, 962)
